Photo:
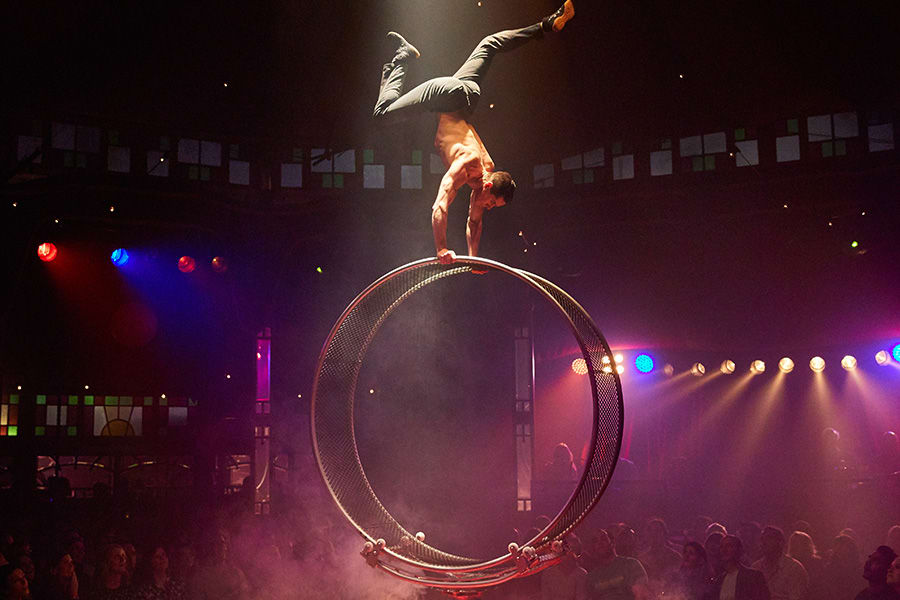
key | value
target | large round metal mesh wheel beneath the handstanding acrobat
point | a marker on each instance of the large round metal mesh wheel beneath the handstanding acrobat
(388, 545)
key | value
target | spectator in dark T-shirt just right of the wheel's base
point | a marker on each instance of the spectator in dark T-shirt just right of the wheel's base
(614, 577)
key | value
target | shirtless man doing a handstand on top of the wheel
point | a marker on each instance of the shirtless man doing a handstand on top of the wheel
(460, 147)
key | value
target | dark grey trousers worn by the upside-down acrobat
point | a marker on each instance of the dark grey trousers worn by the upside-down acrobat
(446, 94)
